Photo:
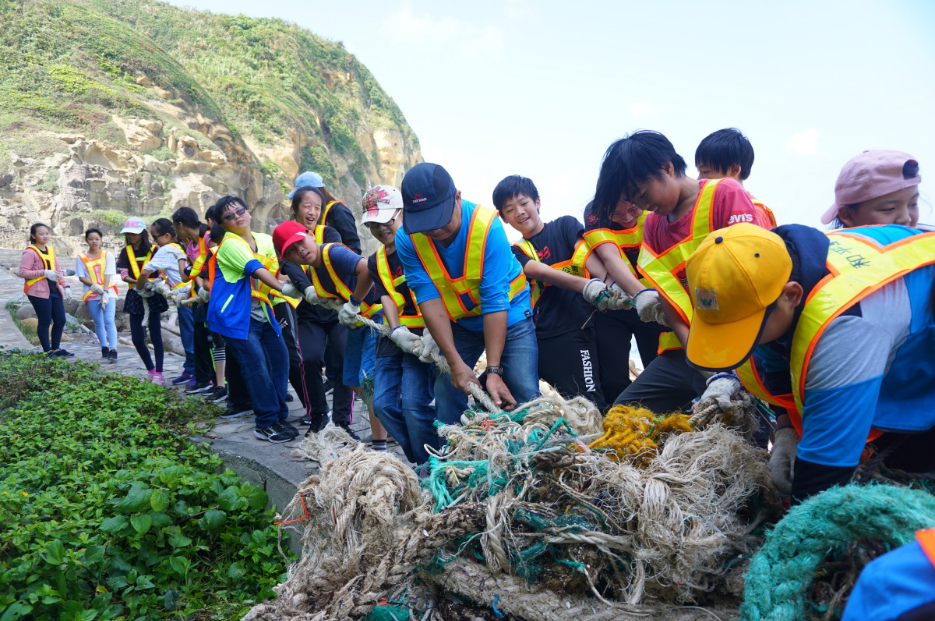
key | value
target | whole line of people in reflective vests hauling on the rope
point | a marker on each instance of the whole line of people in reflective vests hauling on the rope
(832, 330)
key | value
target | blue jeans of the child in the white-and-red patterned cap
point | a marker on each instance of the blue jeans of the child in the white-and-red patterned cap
(403, 389)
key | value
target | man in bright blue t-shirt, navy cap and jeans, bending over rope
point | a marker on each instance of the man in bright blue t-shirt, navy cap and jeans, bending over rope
(470, 289)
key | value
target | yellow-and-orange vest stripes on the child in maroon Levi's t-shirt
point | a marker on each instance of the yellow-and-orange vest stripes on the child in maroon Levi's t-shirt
(660, 270)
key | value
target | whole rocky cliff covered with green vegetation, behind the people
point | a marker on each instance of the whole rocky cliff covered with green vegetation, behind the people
(117, 107)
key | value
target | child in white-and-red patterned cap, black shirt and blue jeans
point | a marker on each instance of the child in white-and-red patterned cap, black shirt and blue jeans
(403, 385)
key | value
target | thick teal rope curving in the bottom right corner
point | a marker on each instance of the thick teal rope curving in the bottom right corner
(781, 572)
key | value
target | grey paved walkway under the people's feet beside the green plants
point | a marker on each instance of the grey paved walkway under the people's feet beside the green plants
(273, 467)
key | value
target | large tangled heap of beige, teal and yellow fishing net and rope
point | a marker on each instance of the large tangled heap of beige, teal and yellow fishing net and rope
(547, 512)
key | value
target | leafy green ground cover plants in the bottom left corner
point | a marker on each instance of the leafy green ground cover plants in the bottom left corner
(108, 511)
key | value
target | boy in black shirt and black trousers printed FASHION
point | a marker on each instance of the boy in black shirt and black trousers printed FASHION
(559, 266)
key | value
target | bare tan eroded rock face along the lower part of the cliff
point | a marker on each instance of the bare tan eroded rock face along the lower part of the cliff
(93, 183)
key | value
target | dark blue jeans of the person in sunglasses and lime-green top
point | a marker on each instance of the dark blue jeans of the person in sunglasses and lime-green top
(264, 365)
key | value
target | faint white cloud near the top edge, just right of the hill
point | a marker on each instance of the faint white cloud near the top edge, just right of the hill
(438, 35)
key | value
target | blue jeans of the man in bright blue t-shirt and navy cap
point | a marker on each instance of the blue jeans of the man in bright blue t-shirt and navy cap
(520, 362)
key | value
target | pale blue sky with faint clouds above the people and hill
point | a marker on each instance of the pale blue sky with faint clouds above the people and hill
(542, 88)
